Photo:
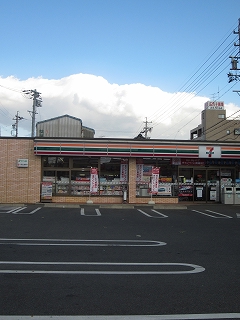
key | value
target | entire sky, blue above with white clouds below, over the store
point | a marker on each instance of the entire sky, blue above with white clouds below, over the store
(117, 63)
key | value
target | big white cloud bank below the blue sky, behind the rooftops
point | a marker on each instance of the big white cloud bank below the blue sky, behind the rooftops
(112, 110)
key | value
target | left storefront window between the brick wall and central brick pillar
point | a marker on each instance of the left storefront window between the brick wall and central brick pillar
(75, 180)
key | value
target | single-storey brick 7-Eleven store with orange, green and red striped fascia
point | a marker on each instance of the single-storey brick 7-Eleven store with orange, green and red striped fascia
(59, 170)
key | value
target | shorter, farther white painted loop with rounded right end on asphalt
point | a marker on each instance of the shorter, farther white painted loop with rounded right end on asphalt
(70, 242)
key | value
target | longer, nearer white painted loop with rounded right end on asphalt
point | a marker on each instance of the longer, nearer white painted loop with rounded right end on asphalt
(149, 268)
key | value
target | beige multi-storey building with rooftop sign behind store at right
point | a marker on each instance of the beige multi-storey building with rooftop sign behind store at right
(214, 124)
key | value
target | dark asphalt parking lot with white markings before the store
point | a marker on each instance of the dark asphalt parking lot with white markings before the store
(139, 261)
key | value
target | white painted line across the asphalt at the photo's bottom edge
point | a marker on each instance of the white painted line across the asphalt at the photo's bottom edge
(193, 316)
